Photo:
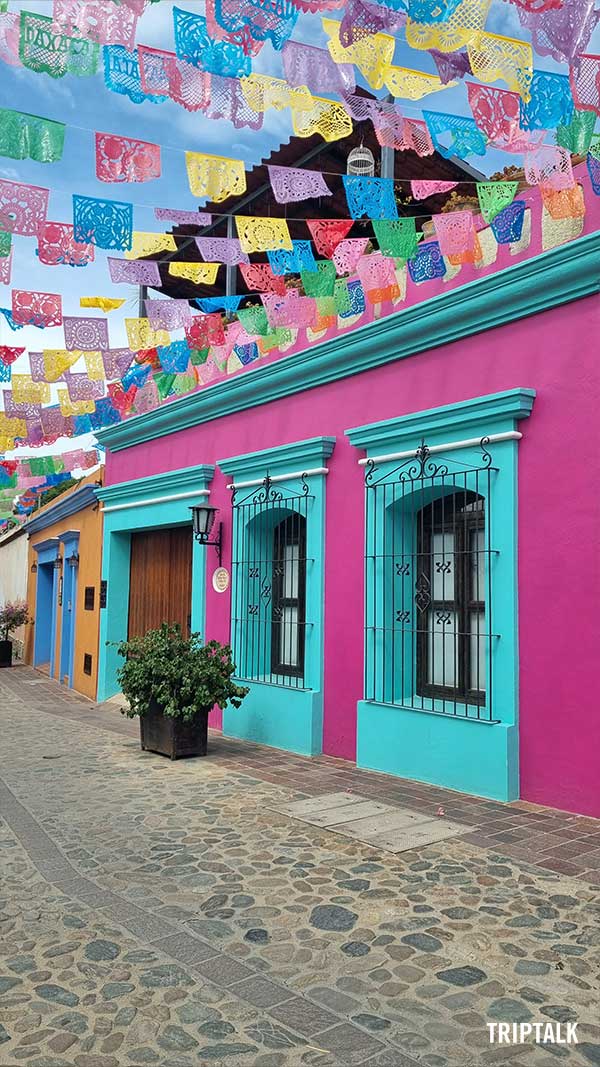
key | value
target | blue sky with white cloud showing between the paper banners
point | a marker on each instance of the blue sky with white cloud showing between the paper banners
(86, 105)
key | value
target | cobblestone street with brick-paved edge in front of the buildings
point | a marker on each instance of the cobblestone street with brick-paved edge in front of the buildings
(165, 914)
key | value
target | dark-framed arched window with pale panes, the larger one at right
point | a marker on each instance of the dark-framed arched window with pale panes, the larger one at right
(451, 599)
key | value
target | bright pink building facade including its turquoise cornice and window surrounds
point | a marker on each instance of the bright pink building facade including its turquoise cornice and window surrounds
(413, 538)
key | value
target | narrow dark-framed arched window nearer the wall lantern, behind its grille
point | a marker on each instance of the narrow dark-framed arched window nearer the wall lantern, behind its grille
(290, 597)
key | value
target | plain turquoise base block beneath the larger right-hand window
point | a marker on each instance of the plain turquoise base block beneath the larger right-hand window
(469, 757)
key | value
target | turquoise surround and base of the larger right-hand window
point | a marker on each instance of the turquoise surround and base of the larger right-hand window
(462, 754)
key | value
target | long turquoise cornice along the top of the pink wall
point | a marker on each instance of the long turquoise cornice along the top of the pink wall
(565, 274)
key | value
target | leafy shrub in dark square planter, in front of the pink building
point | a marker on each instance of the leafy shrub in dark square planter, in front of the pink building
(172, 683)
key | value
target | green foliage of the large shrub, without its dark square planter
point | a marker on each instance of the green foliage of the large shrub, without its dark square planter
(181, 674)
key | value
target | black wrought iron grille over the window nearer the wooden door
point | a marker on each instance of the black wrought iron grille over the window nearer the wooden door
(270, 567)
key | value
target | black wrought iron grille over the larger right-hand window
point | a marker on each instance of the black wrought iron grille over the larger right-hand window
(429, 585)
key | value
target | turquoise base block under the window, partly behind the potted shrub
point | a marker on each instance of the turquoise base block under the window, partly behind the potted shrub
(282, 719)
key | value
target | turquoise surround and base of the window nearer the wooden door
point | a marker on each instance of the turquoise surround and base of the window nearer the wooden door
(281, 716)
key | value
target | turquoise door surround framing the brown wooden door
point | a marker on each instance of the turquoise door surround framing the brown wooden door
(145, 504)
